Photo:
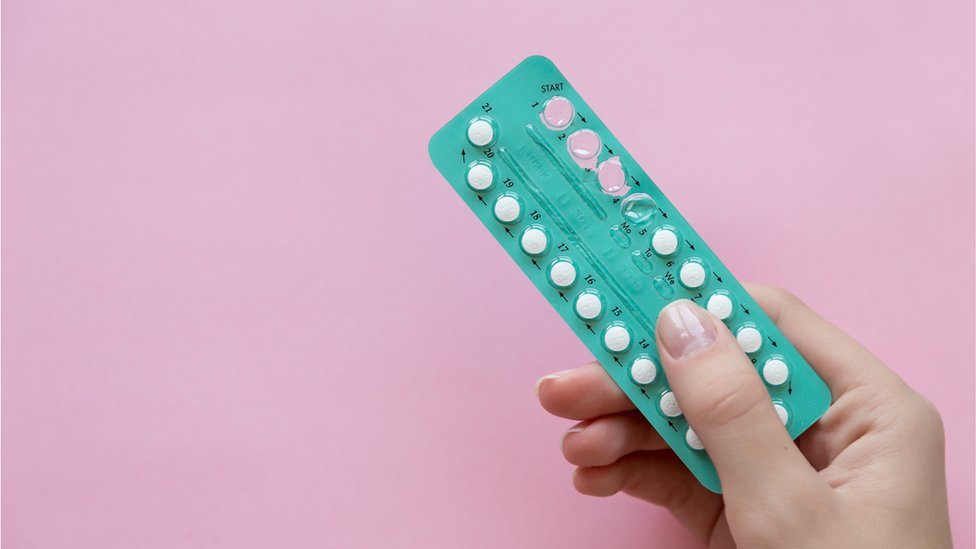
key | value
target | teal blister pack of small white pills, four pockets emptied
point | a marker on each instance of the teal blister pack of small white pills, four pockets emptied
(604, 245)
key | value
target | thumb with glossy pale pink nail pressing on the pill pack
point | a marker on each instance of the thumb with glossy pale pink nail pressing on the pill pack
(726, 403)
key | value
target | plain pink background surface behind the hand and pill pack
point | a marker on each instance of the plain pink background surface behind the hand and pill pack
(241, 309)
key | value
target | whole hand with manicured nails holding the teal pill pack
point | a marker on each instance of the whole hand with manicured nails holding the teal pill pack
(870, 473)
